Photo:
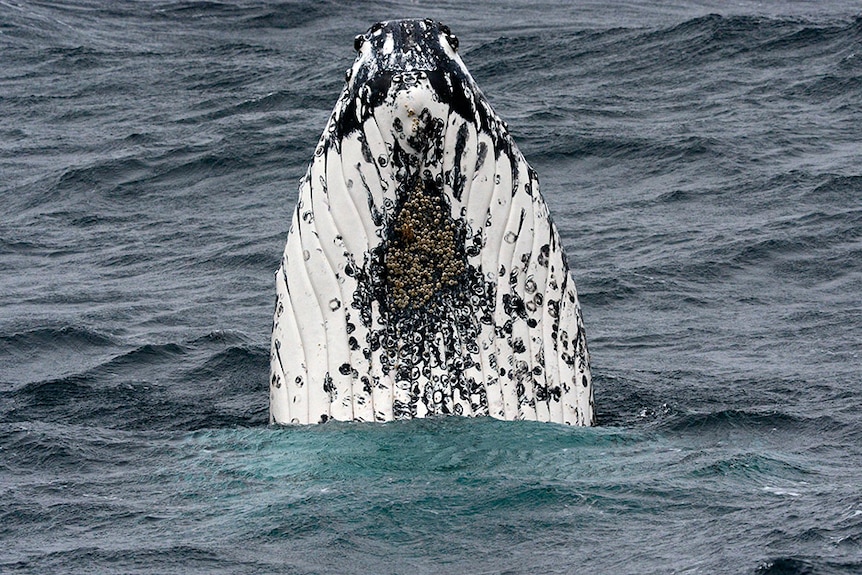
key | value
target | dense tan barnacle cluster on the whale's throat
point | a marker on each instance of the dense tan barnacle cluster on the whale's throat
(423, 256)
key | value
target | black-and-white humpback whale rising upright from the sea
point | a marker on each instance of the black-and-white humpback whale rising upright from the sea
(423, 274)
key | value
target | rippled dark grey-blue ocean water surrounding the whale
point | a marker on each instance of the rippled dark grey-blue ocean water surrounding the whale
(703, 161)
